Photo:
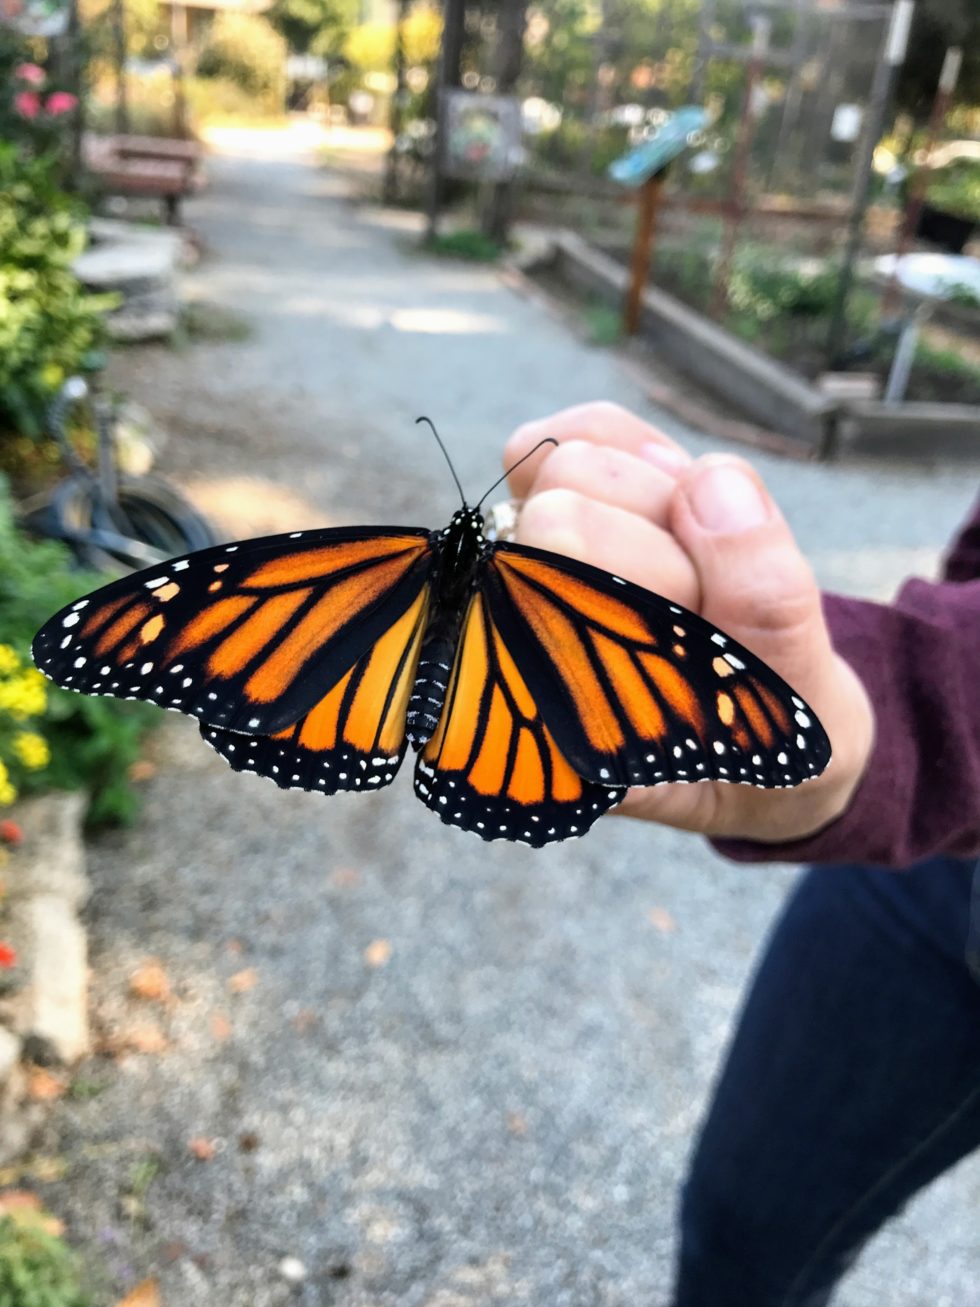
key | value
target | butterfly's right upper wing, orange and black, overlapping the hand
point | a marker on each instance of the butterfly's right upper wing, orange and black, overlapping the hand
(638, 691)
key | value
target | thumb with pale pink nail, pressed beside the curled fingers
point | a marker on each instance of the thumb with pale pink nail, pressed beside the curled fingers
(756, 584)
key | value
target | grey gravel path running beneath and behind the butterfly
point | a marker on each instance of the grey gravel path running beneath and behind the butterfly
(433, 1072)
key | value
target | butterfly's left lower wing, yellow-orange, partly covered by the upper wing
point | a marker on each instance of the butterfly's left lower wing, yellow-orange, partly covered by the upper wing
(355, 738)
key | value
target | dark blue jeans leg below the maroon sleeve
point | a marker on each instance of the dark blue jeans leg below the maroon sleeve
(853, 1082)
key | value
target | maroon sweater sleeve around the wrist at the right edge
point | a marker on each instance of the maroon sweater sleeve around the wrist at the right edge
(919, 659)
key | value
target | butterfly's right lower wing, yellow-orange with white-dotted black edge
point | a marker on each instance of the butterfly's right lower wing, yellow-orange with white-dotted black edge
(493, 767)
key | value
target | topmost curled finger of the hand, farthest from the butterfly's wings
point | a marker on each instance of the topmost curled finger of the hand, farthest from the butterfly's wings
(600, 423)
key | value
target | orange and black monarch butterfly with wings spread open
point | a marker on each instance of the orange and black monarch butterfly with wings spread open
(535, 688)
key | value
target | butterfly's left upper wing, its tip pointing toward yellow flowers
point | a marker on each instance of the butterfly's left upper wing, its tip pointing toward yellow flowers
(248, 637)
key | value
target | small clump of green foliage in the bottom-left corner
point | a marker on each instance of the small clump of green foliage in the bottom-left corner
(37, 1270)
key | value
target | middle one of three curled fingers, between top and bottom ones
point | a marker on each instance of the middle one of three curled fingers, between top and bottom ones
(608, 475)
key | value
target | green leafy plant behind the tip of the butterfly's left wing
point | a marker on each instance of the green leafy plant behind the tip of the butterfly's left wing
(92, 742)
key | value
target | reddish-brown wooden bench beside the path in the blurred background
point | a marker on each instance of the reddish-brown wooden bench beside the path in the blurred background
(148, 167)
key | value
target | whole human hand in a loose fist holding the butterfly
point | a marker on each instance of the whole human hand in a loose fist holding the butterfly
(705, 534)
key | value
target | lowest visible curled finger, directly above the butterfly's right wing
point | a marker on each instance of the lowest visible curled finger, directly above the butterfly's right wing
(577, 526)
